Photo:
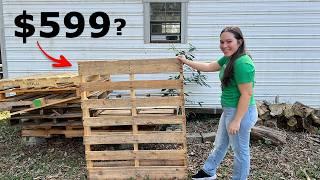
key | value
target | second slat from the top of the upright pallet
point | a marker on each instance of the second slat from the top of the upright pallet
(136, 84)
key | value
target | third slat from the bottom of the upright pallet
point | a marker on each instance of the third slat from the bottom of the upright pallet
(129, 138)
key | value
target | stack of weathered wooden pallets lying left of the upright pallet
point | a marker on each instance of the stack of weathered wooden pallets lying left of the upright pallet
(44, 105)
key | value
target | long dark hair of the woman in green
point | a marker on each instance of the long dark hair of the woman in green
(228, 72)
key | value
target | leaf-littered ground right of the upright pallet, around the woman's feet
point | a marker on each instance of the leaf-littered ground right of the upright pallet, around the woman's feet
(297, 159)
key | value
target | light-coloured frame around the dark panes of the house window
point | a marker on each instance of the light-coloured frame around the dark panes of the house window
(147, 24)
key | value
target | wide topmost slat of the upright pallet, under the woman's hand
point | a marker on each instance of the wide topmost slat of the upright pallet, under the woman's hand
(145, 66)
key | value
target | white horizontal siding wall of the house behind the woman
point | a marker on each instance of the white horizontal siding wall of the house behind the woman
(282, 36)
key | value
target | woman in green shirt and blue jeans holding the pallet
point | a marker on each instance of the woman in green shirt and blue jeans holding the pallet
(239, 115)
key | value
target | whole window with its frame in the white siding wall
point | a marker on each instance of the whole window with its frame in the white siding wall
(165, 22)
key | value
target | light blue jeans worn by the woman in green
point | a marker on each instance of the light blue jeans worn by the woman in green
(239, 144)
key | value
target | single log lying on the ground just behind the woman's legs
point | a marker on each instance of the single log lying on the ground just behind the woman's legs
(276, 137)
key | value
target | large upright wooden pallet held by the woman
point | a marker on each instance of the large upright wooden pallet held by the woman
(126, 137)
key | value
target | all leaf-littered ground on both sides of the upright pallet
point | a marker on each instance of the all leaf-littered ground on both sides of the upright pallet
(60, 158)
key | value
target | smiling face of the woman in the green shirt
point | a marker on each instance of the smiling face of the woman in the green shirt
(228, 44)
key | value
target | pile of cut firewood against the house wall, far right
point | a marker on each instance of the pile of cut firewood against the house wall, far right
(293, 117)
